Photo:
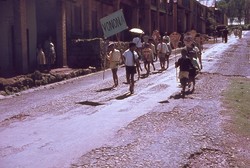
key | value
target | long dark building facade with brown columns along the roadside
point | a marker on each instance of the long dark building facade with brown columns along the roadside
(25, 24)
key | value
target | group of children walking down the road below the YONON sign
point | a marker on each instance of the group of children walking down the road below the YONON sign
(150, 51)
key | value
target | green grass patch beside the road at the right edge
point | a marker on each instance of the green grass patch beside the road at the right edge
(237, 98)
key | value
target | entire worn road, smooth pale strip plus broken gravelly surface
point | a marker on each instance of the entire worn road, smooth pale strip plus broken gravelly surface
(81, 122)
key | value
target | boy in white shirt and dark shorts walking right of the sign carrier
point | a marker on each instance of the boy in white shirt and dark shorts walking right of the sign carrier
(131, 60)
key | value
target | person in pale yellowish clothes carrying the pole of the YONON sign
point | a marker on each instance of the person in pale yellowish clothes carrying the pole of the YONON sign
(114, 57)
